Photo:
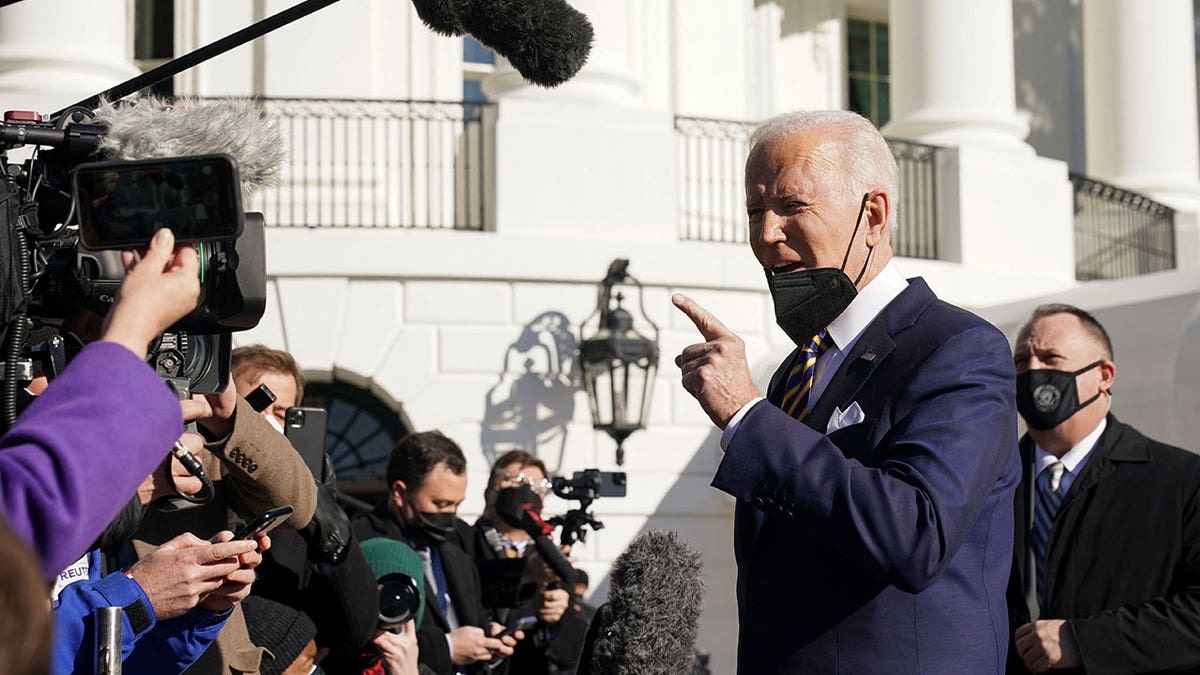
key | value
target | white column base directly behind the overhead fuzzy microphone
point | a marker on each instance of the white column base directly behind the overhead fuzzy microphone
(605, 79)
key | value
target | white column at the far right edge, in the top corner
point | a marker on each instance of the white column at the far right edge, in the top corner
(1141, 97)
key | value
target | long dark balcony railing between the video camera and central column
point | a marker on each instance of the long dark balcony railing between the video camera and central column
(379, 164)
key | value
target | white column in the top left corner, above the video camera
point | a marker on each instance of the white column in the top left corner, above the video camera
(57, 52)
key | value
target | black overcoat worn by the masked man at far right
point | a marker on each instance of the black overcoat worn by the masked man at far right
(1124, 557)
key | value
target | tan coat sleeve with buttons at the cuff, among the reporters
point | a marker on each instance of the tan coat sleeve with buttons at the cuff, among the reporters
(263, 471)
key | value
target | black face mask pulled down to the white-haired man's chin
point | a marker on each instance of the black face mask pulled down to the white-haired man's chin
(807, 301)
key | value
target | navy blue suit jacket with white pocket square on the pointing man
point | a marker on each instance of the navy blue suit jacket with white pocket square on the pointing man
(886, 546)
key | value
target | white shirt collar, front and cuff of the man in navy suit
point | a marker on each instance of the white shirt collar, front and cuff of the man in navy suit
(845, 331)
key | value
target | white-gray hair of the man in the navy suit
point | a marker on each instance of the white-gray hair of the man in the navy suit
(866, 159)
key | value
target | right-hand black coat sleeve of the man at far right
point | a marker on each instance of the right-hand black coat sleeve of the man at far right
(1162, 635)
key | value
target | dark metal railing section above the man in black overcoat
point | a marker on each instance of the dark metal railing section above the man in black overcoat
(1120, 234)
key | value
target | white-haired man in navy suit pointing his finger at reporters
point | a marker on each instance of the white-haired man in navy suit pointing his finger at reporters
(874, 524)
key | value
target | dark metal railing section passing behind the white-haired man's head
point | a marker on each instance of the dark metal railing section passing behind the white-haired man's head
(712, 198)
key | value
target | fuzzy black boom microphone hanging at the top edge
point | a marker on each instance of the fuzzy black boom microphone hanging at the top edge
(547, 41)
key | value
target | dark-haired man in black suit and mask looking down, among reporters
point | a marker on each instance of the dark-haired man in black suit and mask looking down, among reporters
(428, 477)
